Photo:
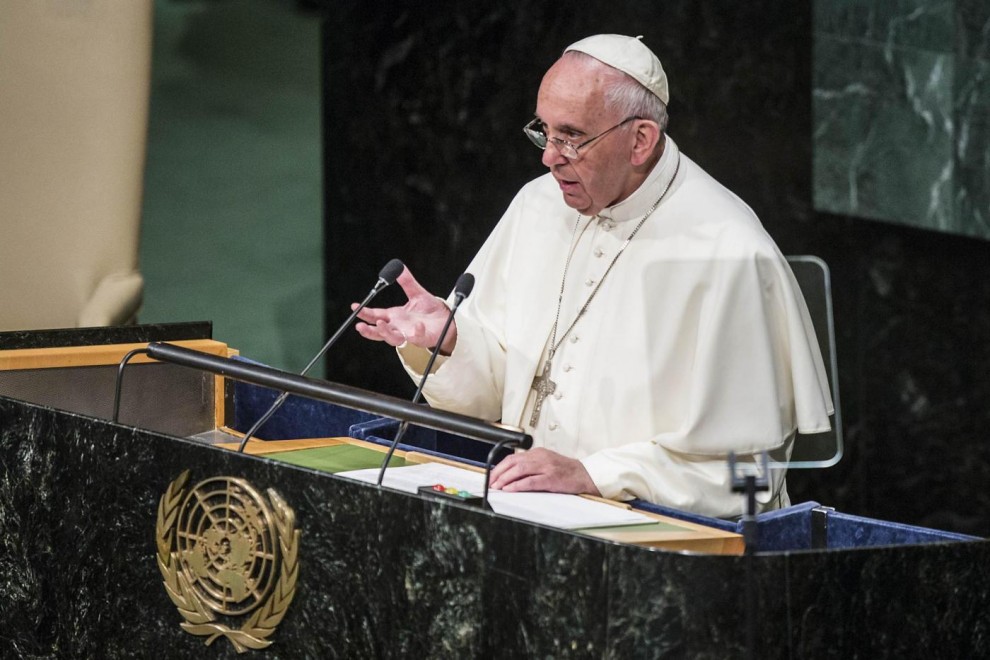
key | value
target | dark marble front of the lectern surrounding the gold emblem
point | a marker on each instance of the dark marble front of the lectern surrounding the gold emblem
(385, 574)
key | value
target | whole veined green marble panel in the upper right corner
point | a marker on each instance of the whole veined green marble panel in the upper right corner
(901, 97)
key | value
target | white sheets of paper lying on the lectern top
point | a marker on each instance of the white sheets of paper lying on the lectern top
(551, 509)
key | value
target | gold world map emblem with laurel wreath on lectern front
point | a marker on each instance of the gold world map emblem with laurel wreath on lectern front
(224, 551)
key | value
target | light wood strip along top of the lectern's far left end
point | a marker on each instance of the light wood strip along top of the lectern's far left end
(90, 356)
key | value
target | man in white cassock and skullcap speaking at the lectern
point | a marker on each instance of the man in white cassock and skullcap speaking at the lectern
(630, 312)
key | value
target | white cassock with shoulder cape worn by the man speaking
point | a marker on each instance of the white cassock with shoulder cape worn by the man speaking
(698, 342)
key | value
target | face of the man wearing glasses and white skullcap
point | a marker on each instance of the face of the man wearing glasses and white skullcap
(571, 105)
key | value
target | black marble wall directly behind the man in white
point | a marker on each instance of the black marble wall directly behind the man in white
(423, 107)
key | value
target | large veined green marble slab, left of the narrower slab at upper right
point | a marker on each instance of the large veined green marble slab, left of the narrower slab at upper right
(884, 134)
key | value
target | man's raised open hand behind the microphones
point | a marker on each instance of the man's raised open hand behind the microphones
(418, 322)
